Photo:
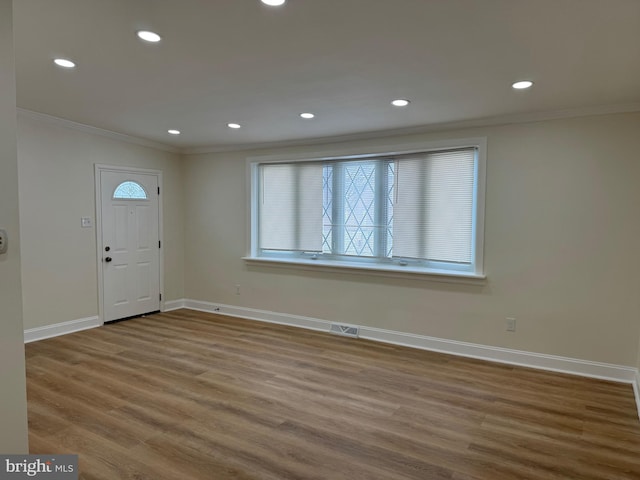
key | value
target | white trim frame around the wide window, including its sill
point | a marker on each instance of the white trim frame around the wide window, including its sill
(391, 270)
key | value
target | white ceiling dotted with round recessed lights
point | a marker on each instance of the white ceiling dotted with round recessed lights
(240, 61)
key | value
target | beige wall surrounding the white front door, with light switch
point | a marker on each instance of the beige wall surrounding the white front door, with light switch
(57, 188)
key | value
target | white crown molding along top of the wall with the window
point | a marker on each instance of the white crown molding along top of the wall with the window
(436, 127)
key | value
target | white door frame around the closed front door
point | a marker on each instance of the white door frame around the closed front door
(99, 168)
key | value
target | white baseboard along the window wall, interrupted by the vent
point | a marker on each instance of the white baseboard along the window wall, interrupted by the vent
(585, 368)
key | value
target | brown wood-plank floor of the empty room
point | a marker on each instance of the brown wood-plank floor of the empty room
(189, 395)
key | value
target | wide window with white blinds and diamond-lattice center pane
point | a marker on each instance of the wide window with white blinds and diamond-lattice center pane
(404, 210)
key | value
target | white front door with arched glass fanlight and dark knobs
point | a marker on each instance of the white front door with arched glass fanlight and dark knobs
(130, 244)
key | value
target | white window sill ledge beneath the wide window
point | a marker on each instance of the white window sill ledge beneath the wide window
(376, 270)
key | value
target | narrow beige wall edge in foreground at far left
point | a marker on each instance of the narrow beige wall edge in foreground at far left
(13, 402)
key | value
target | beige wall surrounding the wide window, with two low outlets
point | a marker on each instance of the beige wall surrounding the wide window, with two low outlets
(560, 247)
